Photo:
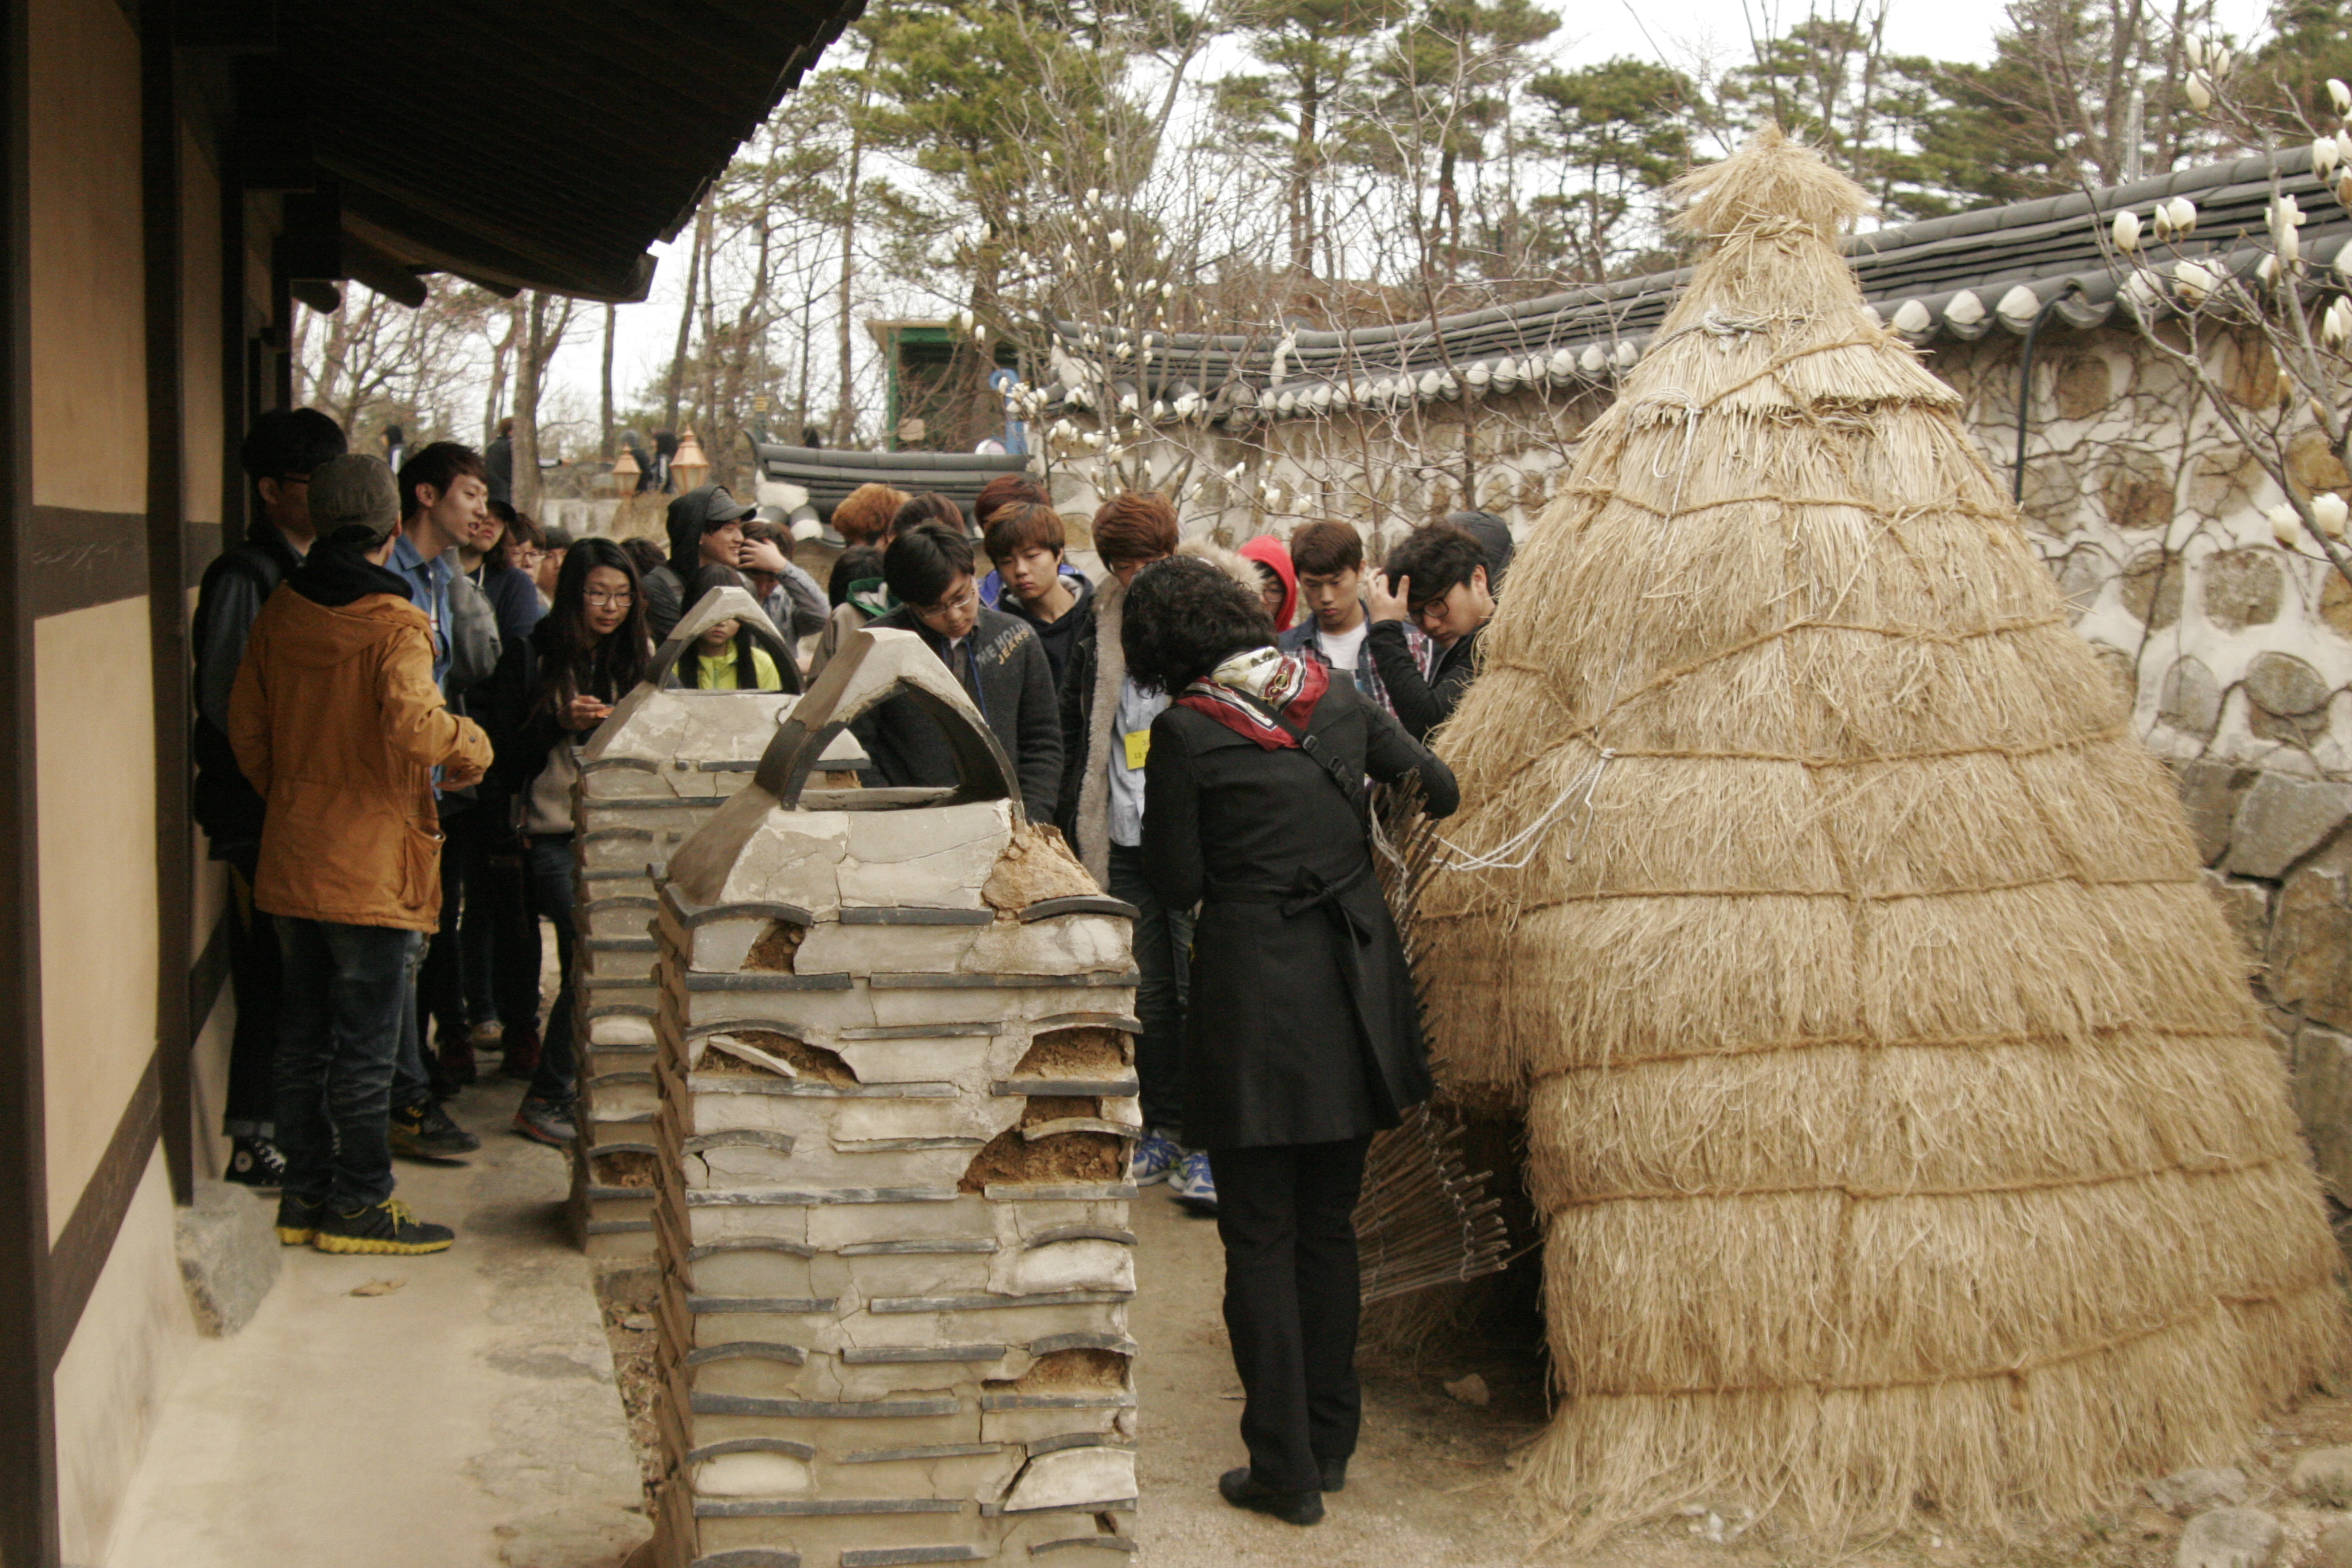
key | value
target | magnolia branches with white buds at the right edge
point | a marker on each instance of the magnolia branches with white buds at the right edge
(2259, 290)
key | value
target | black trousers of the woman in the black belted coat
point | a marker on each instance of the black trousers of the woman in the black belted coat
(1292, 1301)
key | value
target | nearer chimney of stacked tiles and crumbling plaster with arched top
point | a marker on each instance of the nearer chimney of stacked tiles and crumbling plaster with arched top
(895, 1101)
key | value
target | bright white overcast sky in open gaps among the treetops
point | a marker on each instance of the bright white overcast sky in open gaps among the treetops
(1601, 29)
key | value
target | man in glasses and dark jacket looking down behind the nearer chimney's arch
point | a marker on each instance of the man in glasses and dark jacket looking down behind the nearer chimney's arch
(994, 657)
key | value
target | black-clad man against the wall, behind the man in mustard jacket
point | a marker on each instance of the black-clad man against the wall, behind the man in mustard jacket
(279, 457)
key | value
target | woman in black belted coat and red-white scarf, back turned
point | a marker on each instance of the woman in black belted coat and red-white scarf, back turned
(1304, 1036)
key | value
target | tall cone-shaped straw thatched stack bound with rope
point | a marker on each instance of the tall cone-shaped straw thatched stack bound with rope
(1897, 1106)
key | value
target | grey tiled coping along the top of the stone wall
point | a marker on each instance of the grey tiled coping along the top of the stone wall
(1942, 279)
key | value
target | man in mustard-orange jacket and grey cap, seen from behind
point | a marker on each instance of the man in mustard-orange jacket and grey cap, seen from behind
(338, 723)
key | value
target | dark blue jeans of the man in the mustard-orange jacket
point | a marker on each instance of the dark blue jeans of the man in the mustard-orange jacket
(342, 1003)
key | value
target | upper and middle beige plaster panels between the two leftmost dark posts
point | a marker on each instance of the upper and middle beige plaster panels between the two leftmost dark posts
(93, 681)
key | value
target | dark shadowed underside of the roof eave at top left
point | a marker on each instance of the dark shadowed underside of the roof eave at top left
(519, 145)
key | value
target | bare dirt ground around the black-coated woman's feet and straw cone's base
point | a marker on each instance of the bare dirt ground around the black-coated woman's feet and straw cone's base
(1431, 1482)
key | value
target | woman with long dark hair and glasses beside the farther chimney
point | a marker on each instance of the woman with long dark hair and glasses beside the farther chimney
(587, 655)
